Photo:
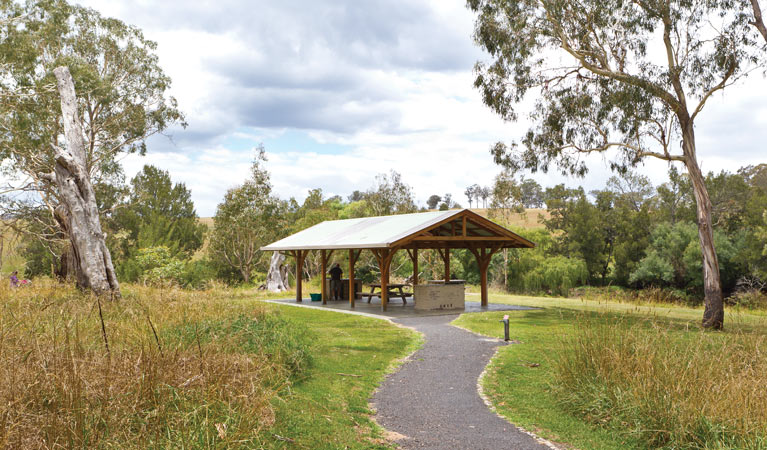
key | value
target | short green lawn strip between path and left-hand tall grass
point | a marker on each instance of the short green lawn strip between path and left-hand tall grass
(329, 409)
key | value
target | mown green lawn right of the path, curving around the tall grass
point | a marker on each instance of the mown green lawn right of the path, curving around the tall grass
(520, 377)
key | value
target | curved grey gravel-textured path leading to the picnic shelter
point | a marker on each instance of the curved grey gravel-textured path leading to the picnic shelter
(433, 400)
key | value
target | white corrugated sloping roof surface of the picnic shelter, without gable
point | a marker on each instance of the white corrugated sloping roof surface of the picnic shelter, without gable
(365, 232)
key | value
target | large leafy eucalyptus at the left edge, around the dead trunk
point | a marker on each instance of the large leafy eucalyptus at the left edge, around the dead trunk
(117, 100)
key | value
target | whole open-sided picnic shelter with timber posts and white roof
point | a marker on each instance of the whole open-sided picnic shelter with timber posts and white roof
(383, 236)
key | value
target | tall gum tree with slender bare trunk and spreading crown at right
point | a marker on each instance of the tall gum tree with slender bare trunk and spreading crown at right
(627, 78)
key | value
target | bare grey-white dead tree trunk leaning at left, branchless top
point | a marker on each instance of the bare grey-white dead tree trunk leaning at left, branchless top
(93, 262)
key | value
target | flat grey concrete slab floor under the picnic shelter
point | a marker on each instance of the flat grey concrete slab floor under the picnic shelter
(396, 309)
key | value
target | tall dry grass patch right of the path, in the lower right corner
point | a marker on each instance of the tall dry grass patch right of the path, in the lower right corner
(670, 386)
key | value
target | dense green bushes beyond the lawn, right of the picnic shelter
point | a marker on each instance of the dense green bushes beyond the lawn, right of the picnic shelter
(635, 235)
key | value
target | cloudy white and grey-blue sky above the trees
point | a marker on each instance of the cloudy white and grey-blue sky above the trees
(339, 91)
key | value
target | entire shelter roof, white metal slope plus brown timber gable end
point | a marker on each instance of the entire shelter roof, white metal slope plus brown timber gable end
(437, 229)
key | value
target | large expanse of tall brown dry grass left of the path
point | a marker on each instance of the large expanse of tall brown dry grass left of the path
(169, 369)
